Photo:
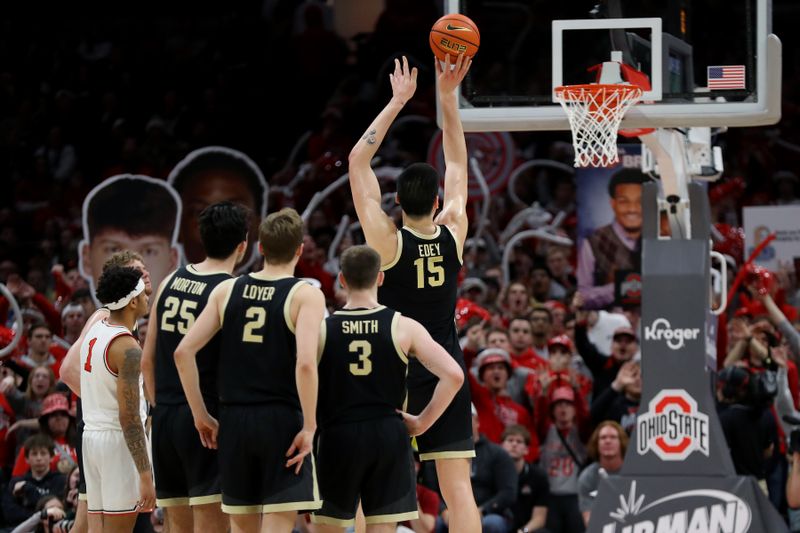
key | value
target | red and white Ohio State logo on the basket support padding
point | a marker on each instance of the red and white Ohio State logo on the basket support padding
(672, 428)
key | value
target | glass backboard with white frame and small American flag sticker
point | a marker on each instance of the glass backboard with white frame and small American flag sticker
(710, 62)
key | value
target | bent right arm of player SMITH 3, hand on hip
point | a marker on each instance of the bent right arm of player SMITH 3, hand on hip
(433, 357)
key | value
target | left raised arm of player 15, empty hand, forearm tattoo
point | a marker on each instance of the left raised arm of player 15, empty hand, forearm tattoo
(379, 229)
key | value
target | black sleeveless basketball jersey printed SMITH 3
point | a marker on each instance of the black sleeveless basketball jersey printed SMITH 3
(362, 370)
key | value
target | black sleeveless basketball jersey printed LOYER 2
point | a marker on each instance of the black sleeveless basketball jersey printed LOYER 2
(259, 350)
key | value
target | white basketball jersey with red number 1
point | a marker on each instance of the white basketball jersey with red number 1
(99, 383)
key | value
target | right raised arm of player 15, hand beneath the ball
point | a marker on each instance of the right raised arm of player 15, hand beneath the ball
(454, 212)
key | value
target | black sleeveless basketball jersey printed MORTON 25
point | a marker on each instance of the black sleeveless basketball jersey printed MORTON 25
(181, 300)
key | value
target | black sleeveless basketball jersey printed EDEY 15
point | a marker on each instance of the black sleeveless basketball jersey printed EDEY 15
(422, 281)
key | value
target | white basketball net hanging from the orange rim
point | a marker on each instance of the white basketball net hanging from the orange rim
(595, 112)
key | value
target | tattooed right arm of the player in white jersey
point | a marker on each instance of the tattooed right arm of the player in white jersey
(130, 420)
